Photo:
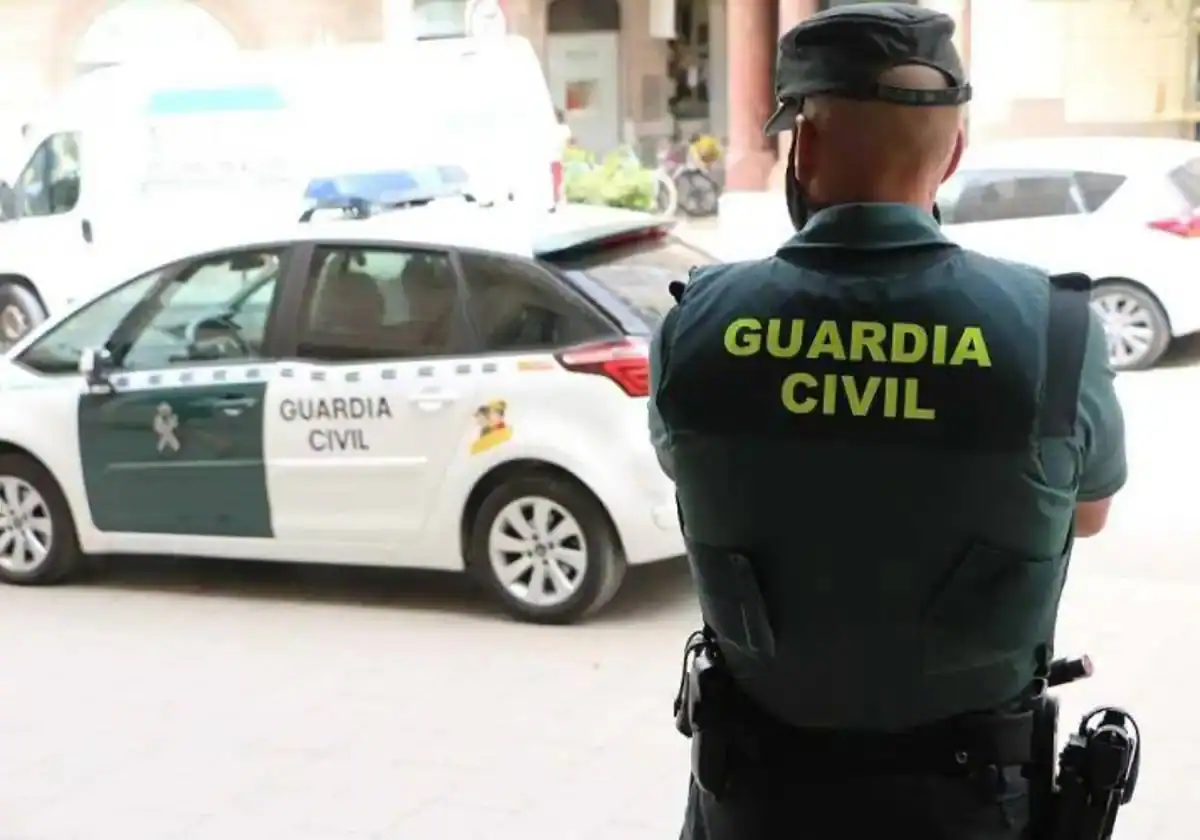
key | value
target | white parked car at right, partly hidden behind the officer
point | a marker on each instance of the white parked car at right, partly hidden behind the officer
(1120, 209)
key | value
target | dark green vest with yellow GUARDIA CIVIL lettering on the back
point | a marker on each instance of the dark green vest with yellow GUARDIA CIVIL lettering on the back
(961, 629)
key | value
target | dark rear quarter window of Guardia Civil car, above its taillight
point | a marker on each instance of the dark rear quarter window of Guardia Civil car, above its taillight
(514, 307)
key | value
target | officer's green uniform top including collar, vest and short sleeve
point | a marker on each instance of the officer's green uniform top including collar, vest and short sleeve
(790, 404)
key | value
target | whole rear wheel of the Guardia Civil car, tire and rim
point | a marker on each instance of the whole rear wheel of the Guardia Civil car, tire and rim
(575, 561)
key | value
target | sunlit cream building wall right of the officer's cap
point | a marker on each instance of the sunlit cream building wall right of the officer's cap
(1119, 67)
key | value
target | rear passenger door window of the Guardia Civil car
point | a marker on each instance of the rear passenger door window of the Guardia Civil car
(369, 304)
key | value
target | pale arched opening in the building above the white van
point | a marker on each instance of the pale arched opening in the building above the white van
(141, 29)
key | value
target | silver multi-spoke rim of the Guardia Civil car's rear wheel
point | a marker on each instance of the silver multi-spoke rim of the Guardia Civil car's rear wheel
(538, 551)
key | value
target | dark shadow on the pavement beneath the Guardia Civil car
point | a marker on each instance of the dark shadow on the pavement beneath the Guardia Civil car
(647, 591)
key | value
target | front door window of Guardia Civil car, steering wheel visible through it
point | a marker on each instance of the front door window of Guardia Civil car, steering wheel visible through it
(214, 310)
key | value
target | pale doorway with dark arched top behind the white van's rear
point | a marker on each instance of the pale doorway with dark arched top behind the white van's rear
(584, 69)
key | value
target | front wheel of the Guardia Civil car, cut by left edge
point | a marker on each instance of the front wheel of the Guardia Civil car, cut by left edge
(29, 488)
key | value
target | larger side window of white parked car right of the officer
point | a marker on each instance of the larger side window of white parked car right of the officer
(1010, 196)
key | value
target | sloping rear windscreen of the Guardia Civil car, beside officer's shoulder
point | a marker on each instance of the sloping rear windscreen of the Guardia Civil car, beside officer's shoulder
(639, 274)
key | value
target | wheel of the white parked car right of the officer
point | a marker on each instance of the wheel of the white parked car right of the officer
(1124, 304)
